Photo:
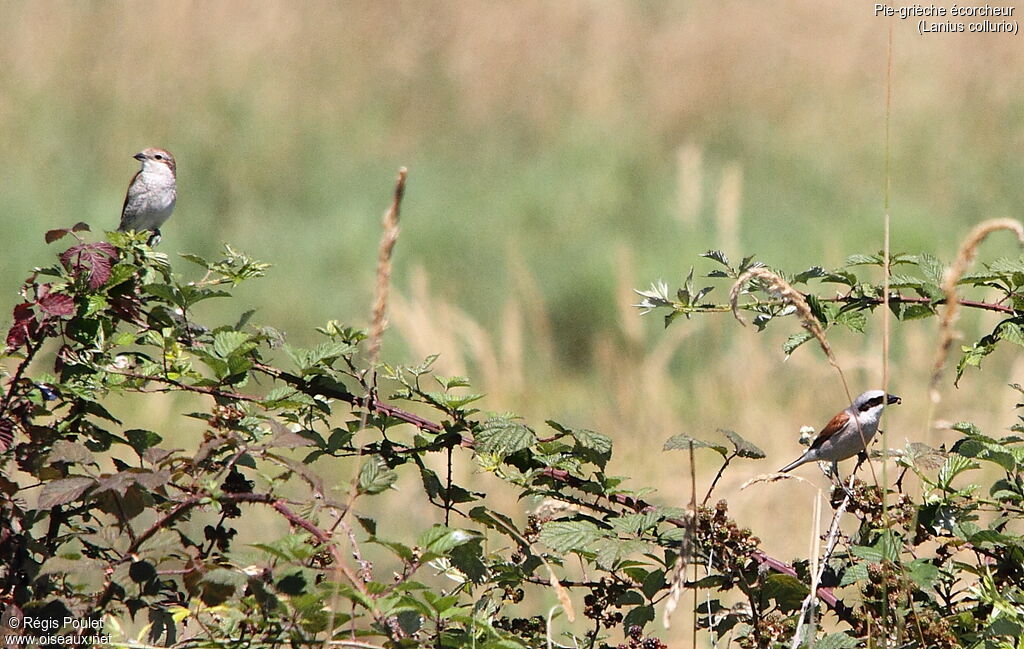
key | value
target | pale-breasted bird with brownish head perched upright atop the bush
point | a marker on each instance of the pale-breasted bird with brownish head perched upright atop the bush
(151, 195)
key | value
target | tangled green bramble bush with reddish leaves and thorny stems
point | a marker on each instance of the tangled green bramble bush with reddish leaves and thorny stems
(101, 522)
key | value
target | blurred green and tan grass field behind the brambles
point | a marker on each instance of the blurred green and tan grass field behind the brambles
(561, 154)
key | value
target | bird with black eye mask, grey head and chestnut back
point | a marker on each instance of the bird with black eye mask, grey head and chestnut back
(848, 434)
